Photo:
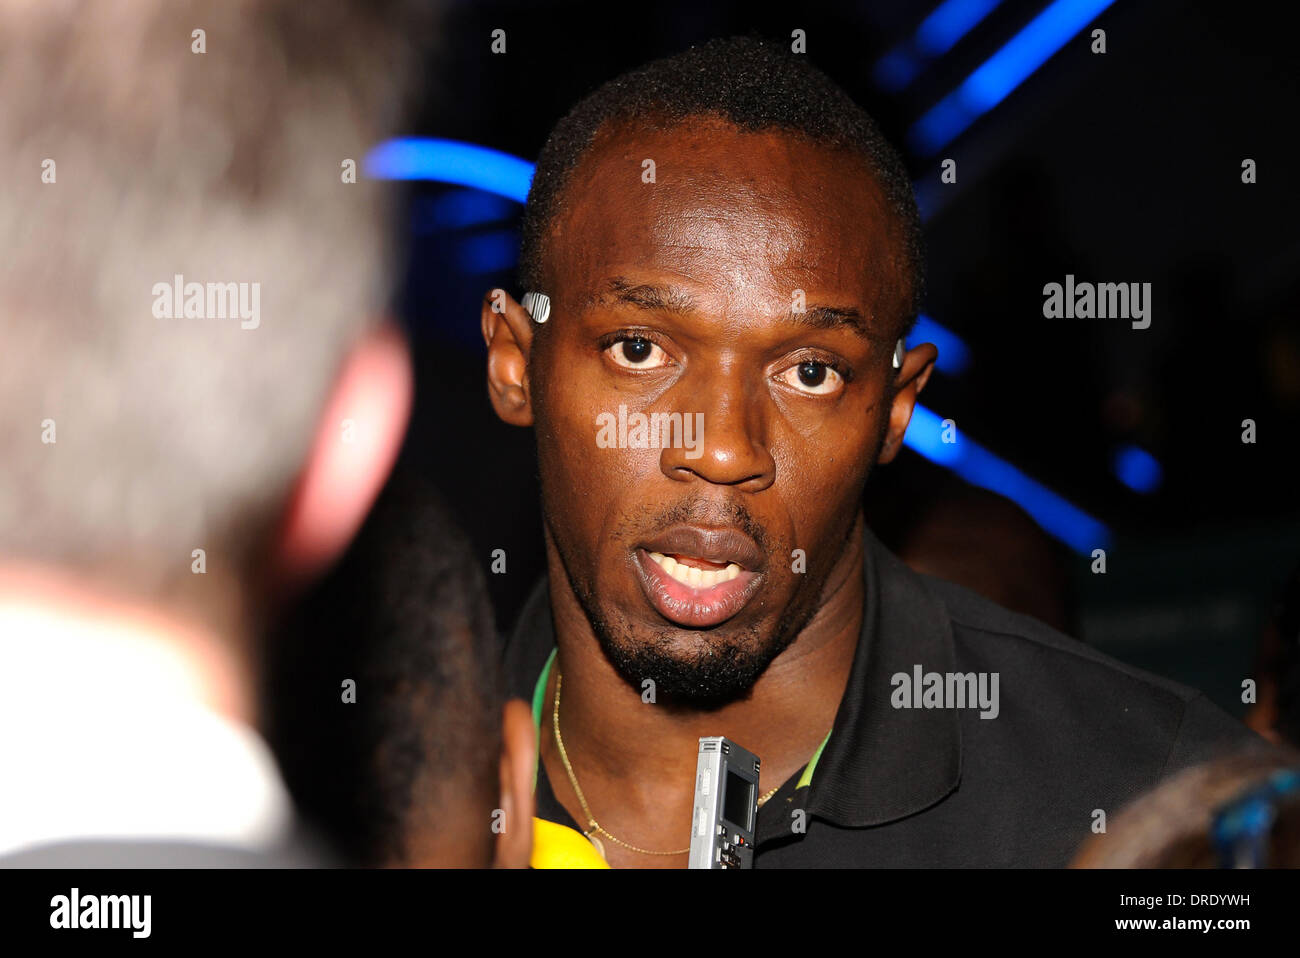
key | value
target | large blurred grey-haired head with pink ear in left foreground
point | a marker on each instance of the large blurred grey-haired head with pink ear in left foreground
(192, 289)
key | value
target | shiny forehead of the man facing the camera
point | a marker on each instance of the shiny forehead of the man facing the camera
(748, 216)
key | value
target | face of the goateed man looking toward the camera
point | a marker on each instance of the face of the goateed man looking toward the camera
(752, 288)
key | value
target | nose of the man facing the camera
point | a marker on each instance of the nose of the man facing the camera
(727, 443)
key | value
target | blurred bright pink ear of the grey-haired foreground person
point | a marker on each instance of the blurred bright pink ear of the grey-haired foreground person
(357, 443)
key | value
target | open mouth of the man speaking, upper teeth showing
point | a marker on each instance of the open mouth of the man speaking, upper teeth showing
(699, 578)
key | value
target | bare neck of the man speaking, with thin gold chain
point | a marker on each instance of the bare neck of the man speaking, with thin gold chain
(636, 762)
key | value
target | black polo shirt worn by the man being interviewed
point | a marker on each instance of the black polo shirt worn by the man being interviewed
(941, 787)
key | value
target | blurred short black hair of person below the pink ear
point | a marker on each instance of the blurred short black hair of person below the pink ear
(406, 615)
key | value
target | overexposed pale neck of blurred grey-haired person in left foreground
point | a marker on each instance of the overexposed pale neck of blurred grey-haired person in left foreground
(110, 640)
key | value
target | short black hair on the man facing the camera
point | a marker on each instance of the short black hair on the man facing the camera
(748, 83)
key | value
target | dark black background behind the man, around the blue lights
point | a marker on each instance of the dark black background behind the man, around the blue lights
(1124, 167)
